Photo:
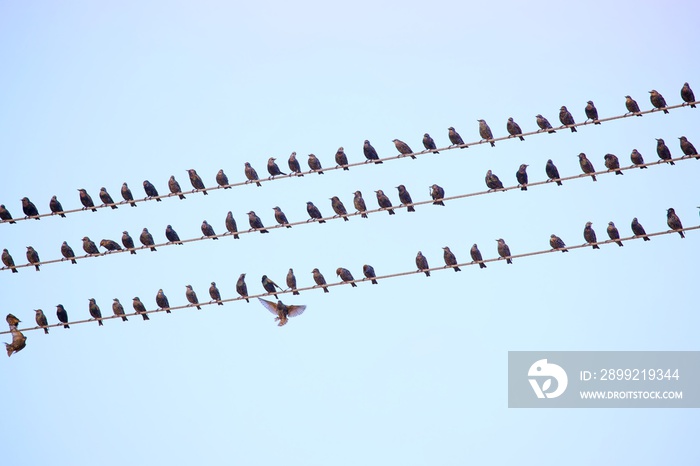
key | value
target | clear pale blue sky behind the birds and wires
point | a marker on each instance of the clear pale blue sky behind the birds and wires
(411, 371)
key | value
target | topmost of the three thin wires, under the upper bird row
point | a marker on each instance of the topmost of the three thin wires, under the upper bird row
(356, 164)
